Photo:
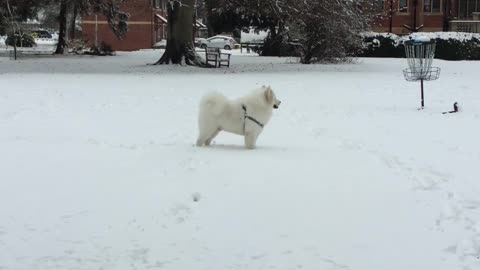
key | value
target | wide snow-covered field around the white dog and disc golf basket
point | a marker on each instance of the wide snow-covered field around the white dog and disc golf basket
(98, 168)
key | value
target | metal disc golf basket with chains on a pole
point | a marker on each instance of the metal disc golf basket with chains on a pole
(420, 53)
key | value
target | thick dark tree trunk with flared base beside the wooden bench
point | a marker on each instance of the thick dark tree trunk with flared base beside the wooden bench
(180, 47)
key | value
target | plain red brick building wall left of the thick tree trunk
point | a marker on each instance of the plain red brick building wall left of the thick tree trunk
(147, 26)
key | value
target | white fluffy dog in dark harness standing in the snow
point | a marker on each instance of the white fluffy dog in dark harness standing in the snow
(245, 116)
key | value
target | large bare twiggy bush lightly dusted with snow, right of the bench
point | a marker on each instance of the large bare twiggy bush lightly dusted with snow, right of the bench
(327, 31)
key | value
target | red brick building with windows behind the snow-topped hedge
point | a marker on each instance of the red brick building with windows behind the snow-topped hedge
(427, 15)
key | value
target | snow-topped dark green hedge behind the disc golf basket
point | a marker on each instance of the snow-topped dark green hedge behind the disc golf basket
(450, 45)
